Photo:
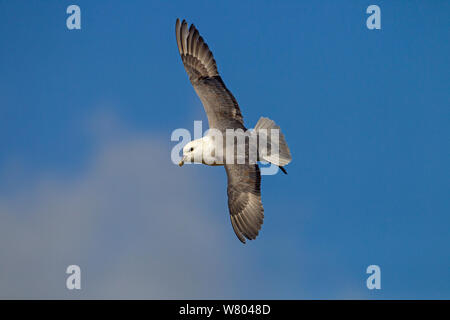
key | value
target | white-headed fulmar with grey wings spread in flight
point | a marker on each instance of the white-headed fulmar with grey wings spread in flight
(222, 110)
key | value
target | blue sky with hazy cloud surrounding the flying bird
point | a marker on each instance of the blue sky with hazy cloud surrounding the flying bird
(365, 113)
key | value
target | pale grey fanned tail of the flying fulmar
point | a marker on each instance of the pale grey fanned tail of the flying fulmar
(272, 146)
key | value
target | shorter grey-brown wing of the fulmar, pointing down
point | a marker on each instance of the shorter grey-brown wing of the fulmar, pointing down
(244, 200)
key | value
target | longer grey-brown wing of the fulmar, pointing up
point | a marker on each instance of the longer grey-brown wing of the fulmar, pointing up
(220, 105)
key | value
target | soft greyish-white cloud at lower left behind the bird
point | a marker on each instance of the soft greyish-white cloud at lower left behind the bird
(137, 225)
